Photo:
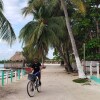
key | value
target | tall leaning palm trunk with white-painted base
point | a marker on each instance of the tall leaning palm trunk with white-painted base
(79, 66)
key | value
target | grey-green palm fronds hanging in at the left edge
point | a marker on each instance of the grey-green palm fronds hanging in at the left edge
(6, 30)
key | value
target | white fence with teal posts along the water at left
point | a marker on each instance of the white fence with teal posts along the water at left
(11, 74)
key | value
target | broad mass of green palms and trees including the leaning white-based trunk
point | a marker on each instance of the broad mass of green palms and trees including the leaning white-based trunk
(48, 29)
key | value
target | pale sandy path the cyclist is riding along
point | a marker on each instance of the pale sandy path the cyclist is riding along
(56, 85)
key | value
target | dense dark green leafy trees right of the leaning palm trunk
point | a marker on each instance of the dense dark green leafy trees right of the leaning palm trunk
(87, 30)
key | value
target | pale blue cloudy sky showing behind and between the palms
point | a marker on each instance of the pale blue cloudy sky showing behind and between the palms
(13, 12)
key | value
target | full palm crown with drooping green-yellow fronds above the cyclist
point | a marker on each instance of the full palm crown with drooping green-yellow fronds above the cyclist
(39, 32)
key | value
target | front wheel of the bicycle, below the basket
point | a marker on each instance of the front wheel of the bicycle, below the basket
(30, 88)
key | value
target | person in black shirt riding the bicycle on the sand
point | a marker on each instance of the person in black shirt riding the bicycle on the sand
(36, 65)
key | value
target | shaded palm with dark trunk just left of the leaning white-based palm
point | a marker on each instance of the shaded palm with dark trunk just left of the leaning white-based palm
(62, 46)
